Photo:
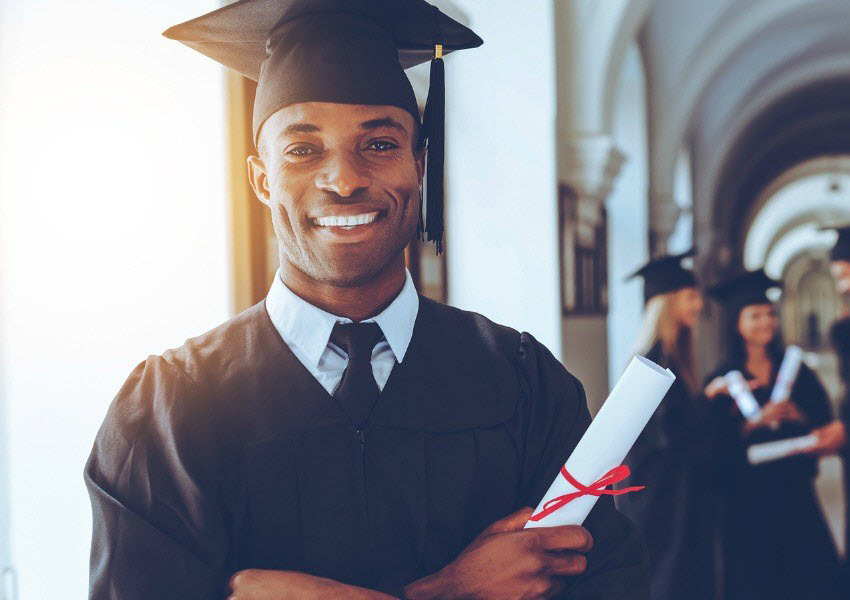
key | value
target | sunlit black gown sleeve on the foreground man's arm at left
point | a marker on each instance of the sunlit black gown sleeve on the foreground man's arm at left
(158, 531)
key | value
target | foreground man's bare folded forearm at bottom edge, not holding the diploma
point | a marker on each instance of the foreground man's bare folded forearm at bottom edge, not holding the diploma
(257, 584)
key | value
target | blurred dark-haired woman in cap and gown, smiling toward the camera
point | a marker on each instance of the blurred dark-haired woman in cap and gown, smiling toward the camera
(775, 539)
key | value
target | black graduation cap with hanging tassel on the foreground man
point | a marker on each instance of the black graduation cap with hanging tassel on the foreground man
(345, 51)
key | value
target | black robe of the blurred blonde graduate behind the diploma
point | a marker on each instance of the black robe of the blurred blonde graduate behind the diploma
(675, 511)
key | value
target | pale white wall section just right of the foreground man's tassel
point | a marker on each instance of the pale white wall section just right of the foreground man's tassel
(501, 203)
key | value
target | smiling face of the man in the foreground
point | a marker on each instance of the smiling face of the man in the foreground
(342, 184)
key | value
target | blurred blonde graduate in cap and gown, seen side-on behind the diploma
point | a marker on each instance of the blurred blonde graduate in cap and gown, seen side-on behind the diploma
(671, 456)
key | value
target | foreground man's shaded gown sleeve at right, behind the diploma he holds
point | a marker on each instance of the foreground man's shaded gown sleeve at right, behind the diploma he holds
(617, 565)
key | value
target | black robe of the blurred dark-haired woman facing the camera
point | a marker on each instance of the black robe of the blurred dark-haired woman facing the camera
(776, 543)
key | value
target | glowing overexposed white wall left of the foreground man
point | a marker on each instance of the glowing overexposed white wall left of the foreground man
(114, 245)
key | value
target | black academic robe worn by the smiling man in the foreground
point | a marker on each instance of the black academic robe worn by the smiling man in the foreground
(227, 454)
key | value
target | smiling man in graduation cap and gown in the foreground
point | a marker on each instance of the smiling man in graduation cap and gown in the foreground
(346, 437)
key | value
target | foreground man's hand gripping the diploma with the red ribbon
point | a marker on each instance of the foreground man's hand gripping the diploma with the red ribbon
(507, 561)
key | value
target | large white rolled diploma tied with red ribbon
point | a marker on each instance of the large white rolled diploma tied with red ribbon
(609, 438)
